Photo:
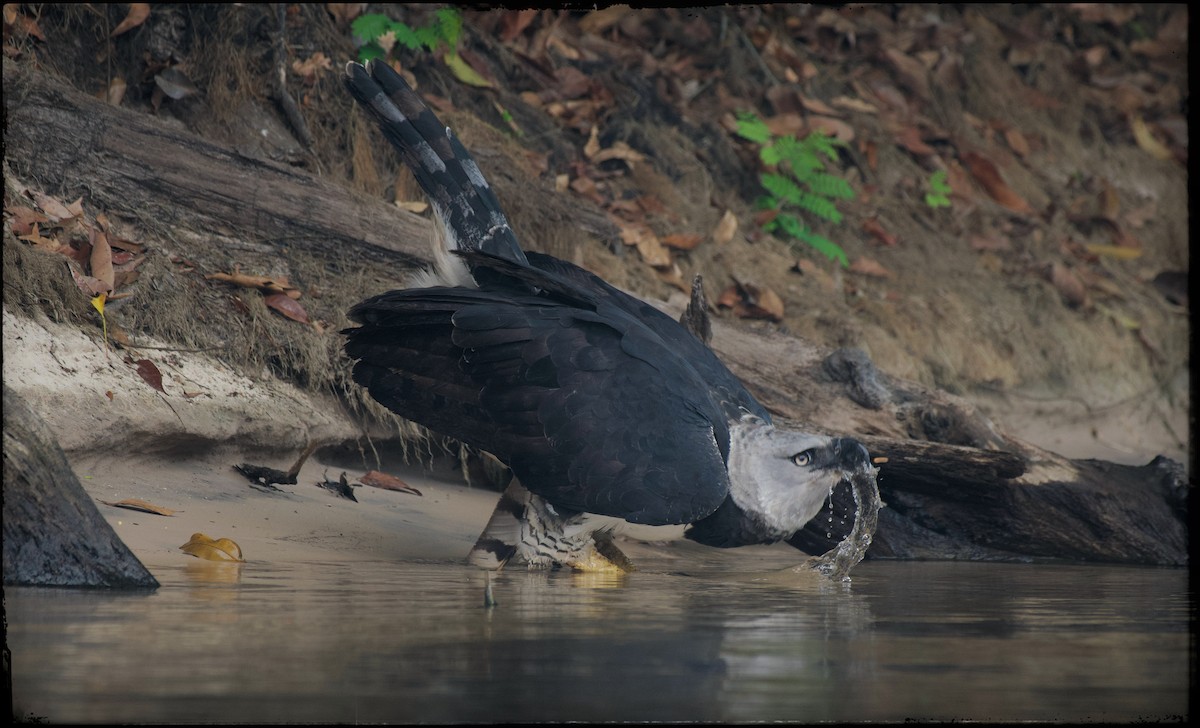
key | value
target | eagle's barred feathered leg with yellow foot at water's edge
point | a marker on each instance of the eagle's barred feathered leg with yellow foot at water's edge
(527, 531)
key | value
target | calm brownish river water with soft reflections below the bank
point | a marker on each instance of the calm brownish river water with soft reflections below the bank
(385, 642)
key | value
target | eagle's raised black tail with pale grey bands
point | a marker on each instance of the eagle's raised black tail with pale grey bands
(461, 197)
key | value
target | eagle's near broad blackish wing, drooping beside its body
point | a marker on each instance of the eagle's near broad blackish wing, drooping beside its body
(592, 410)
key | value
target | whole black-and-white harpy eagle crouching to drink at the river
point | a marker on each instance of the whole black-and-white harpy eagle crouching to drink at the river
(604, 408)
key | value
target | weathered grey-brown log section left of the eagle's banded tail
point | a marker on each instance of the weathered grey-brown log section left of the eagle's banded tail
(135, 163)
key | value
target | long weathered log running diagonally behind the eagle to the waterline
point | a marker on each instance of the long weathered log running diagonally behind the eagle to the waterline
(956, 488)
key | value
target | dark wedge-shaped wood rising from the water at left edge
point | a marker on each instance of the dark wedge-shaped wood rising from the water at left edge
(53, 533)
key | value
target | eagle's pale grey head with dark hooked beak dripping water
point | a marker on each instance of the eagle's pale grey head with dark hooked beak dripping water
(783, 477)
